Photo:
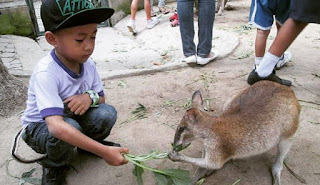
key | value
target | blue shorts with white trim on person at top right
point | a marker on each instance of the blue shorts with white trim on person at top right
(263, 13)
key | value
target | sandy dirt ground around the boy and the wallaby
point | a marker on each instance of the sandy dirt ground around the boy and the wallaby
(165, 95)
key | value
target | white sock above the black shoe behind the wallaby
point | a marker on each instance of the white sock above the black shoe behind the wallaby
(267, 64)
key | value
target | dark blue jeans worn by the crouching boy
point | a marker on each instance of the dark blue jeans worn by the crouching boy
(96, 123)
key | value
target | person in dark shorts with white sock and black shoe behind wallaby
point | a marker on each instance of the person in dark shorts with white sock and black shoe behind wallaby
(301, 13)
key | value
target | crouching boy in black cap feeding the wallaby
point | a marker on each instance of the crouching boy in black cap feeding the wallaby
(66, 104)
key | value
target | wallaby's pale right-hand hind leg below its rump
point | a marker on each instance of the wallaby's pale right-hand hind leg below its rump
(283, 149)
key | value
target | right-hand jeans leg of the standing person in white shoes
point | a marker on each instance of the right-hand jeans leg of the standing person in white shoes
(206, 17)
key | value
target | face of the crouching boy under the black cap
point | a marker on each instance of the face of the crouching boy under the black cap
(75, 44)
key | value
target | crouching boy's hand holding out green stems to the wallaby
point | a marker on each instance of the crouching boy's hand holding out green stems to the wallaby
(114, 155)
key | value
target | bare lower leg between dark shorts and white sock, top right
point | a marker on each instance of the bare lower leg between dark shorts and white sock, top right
(286, 35)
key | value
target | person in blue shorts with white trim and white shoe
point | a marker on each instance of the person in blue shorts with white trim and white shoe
(262, 15)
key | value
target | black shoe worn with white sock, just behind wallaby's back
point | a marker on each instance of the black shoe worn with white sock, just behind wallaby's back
(254, 77)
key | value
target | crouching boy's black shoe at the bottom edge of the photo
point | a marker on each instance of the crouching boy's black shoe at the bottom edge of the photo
(54, 176)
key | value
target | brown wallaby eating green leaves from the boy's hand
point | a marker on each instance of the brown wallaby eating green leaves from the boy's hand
(260, 117)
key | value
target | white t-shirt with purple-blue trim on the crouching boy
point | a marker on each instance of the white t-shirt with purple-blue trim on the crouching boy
(52, 82)
